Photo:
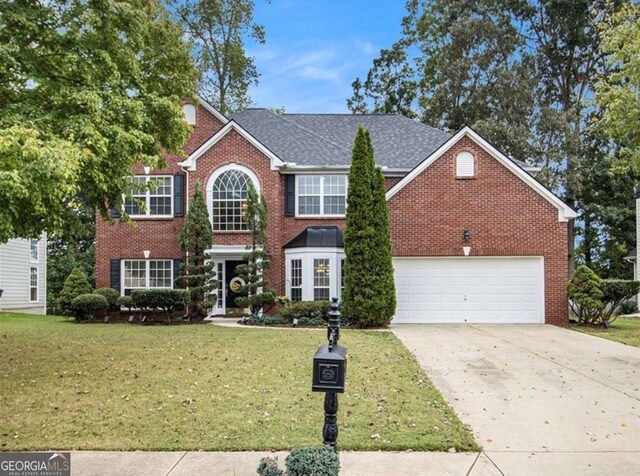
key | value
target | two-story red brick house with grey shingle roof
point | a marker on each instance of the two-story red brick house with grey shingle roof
(449, 196)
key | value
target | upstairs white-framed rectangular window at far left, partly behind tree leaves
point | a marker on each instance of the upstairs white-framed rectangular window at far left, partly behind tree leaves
(154, 201)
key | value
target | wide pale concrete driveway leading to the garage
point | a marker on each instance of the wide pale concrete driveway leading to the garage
(540, 399)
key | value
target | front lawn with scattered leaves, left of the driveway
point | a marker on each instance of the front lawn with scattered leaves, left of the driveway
(124, 387)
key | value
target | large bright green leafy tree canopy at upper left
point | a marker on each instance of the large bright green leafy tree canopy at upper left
(87, 90)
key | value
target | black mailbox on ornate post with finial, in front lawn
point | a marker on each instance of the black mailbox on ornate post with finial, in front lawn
(329, 372)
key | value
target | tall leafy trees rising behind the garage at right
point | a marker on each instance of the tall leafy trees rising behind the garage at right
(523, 74)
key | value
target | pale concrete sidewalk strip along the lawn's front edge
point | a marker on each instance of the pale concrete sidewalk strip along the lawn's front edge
(104, 463)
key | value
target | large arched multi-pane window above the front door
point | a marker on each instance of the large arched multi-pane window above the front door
(229, 200)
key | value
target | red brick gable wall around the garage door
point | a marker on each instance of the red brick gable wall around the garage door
(504, 216)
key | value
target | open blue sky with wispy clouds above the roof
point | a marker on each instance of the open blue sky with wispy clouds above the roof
(315, 49)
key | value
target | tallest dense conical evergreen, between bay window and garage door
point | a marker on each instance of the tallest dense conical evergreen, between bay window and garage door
(367, 251)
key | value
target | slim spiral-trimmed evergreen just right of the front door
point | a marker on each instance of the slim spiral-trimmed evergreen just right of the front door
(257, 259)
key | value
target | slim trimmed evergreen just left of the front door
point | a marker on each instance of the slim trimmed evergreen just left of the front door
(198, 272)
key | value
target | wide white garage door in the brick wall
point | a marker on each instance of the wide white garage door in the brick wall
(469, 290)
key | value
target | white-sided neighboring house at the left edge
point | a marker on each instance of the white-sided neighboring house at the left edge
(23, 276)
